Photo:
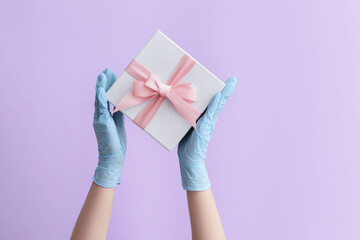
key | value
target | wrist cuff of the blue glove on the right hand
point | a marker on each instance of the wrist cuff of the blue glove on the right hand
(194, 178)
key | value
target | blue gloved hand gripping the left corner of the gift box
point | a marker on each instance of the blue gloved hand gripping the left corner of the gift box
(110, 134)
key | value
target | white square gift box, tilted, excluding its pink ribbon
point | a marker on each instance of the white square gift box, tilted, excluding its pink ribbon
(161, 56)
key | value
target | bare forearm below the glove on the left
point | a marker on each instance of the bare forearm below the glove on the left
(94, 217)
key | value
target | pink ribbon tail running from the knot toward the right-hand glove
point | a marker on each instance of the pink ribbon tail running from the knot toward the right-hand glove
(185, 109)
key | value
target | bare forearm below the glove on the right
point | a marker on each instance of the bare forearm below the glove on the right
(204, 216)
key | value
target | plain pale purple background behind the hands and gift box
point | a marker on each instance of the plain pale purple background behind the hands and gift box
(284, 159)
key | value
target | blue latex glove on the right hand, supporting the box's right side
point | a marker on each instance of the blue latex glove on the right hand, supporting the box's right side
(192, 148)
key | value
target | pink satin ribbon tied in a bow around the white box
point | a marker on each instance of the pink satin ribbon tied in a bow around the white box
(147, 86)
